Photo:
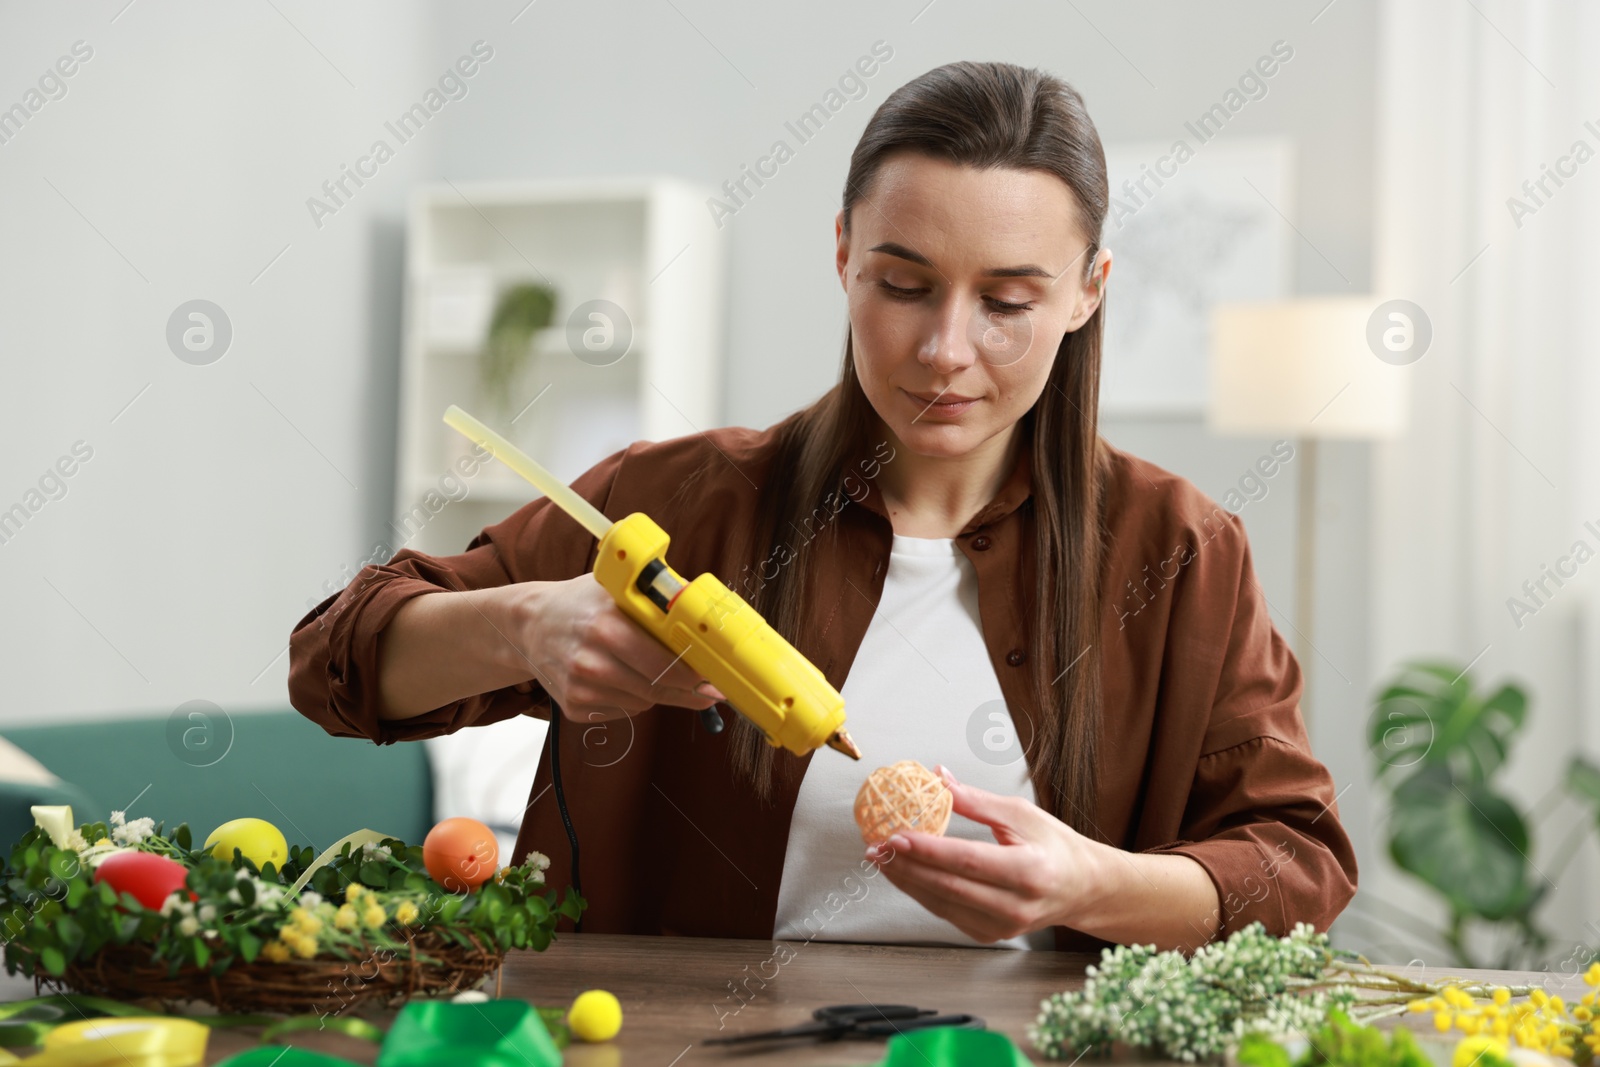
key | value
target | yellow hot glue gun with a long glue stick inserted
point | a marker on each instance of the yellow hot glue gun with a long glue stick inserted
(716, 633)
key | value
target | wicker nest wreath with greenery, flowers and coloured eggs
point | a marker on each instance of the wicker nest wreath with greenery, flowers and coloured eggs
(142, 916)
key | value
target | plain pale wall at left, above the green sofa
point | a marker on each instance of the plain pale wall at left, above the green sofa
(183, 153)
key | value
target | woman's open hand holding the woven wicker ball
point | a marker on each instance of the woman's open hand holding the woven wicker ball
(1039, 873)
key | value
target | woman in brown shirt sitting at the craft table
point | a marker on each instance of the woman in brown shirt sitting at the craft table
(1074, 634)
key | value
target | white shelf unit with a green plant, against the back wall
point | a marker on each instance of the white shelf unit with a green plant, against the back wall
(642, 244)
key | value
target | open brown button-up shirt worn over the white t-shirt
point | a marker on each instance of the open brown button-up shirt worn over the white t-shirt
(1204, 751)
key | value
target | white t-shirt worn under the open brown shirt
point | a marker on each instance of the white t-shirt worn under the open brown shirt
(921, 689)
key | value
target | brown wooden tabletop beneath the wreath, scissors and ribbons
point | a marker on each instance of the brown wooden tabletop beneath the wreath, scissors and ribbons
(678, 993)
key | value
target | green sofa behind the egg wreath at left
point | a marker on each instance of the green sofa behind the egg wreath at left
(271, 765)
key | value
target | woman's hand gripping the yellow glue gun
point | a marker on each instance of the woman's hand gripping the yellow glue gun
(593, 660)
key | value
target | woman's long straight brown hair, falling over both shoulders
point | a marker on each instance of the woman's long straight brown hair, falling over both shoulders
(985, 116)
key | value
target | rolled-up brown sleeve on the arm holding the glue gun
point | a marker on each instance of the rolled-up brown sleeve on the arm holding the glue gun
(334, 649)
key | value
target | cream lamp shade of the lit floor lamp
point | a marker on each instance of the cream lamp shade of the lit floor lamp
(1303, 369)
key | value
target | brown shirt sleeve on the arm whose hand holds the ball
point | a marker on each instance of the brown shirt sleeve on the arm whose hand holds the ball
(1262, 817)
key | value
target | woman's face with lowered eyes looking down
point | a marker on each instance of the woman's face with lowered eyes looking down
(962, 284)
